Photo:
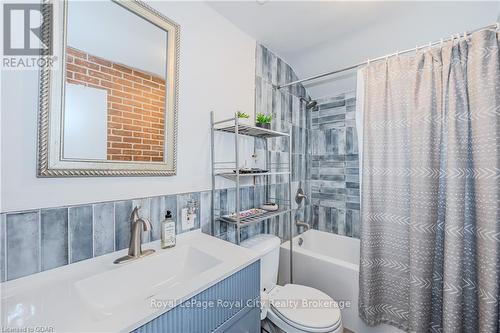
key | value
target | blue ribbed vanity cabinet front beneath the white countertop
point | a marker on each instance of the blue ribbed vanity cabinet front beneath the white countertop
(232, 305)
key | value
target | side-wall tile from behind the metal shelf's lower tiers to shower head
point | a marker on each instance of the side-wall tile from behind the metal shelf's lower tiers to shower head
(288, 112)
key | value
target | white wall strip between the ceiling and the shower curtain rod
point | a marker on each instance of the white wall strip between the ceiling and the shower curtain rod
(422, 23)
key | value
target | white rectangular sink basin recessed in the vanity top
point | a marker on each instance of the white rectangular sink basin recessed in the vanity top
(143, 278)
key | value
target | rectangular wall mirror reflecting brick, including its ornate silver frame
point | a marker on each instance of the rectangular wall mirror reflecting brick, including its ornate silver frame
(109, 107)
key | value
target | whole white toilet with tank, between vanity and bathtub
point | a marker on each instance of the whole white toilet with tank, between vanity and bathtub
(292, 308)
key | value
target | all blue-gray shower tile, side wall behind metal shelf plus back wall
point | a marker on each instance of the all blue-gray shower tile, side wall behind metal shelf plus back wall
(324, 157)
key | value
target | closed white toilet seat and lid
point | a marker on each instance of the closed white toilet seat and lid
(304, 308)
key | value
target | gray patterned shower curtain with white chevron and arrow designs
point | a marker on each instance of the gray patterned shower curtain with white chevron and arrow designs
(430, 238)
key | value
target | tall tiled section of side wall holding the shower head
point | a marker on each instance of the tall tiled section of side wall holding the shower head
(287, 107)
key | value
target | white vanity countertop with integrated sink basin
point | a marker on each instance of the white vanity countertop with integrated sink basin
(96, 295)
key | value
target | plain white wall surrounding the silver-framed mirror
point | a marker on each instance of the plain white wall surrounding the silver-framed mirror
(216, 73)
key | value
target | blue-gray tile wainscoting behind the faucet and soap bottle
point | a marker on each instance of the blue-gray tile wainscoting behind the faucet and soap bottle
(38, 240)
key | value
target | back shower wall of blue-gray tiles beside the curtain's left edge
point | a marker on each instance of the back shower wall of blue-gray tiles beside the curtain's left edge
(335, 166)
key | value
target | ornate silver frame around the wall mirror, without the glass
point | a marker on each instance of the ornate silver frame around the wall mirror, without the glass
(50, 161)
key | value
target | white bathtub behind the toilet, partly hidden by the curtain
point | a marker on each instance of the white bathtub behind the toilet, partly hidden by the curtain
(330, 263)
